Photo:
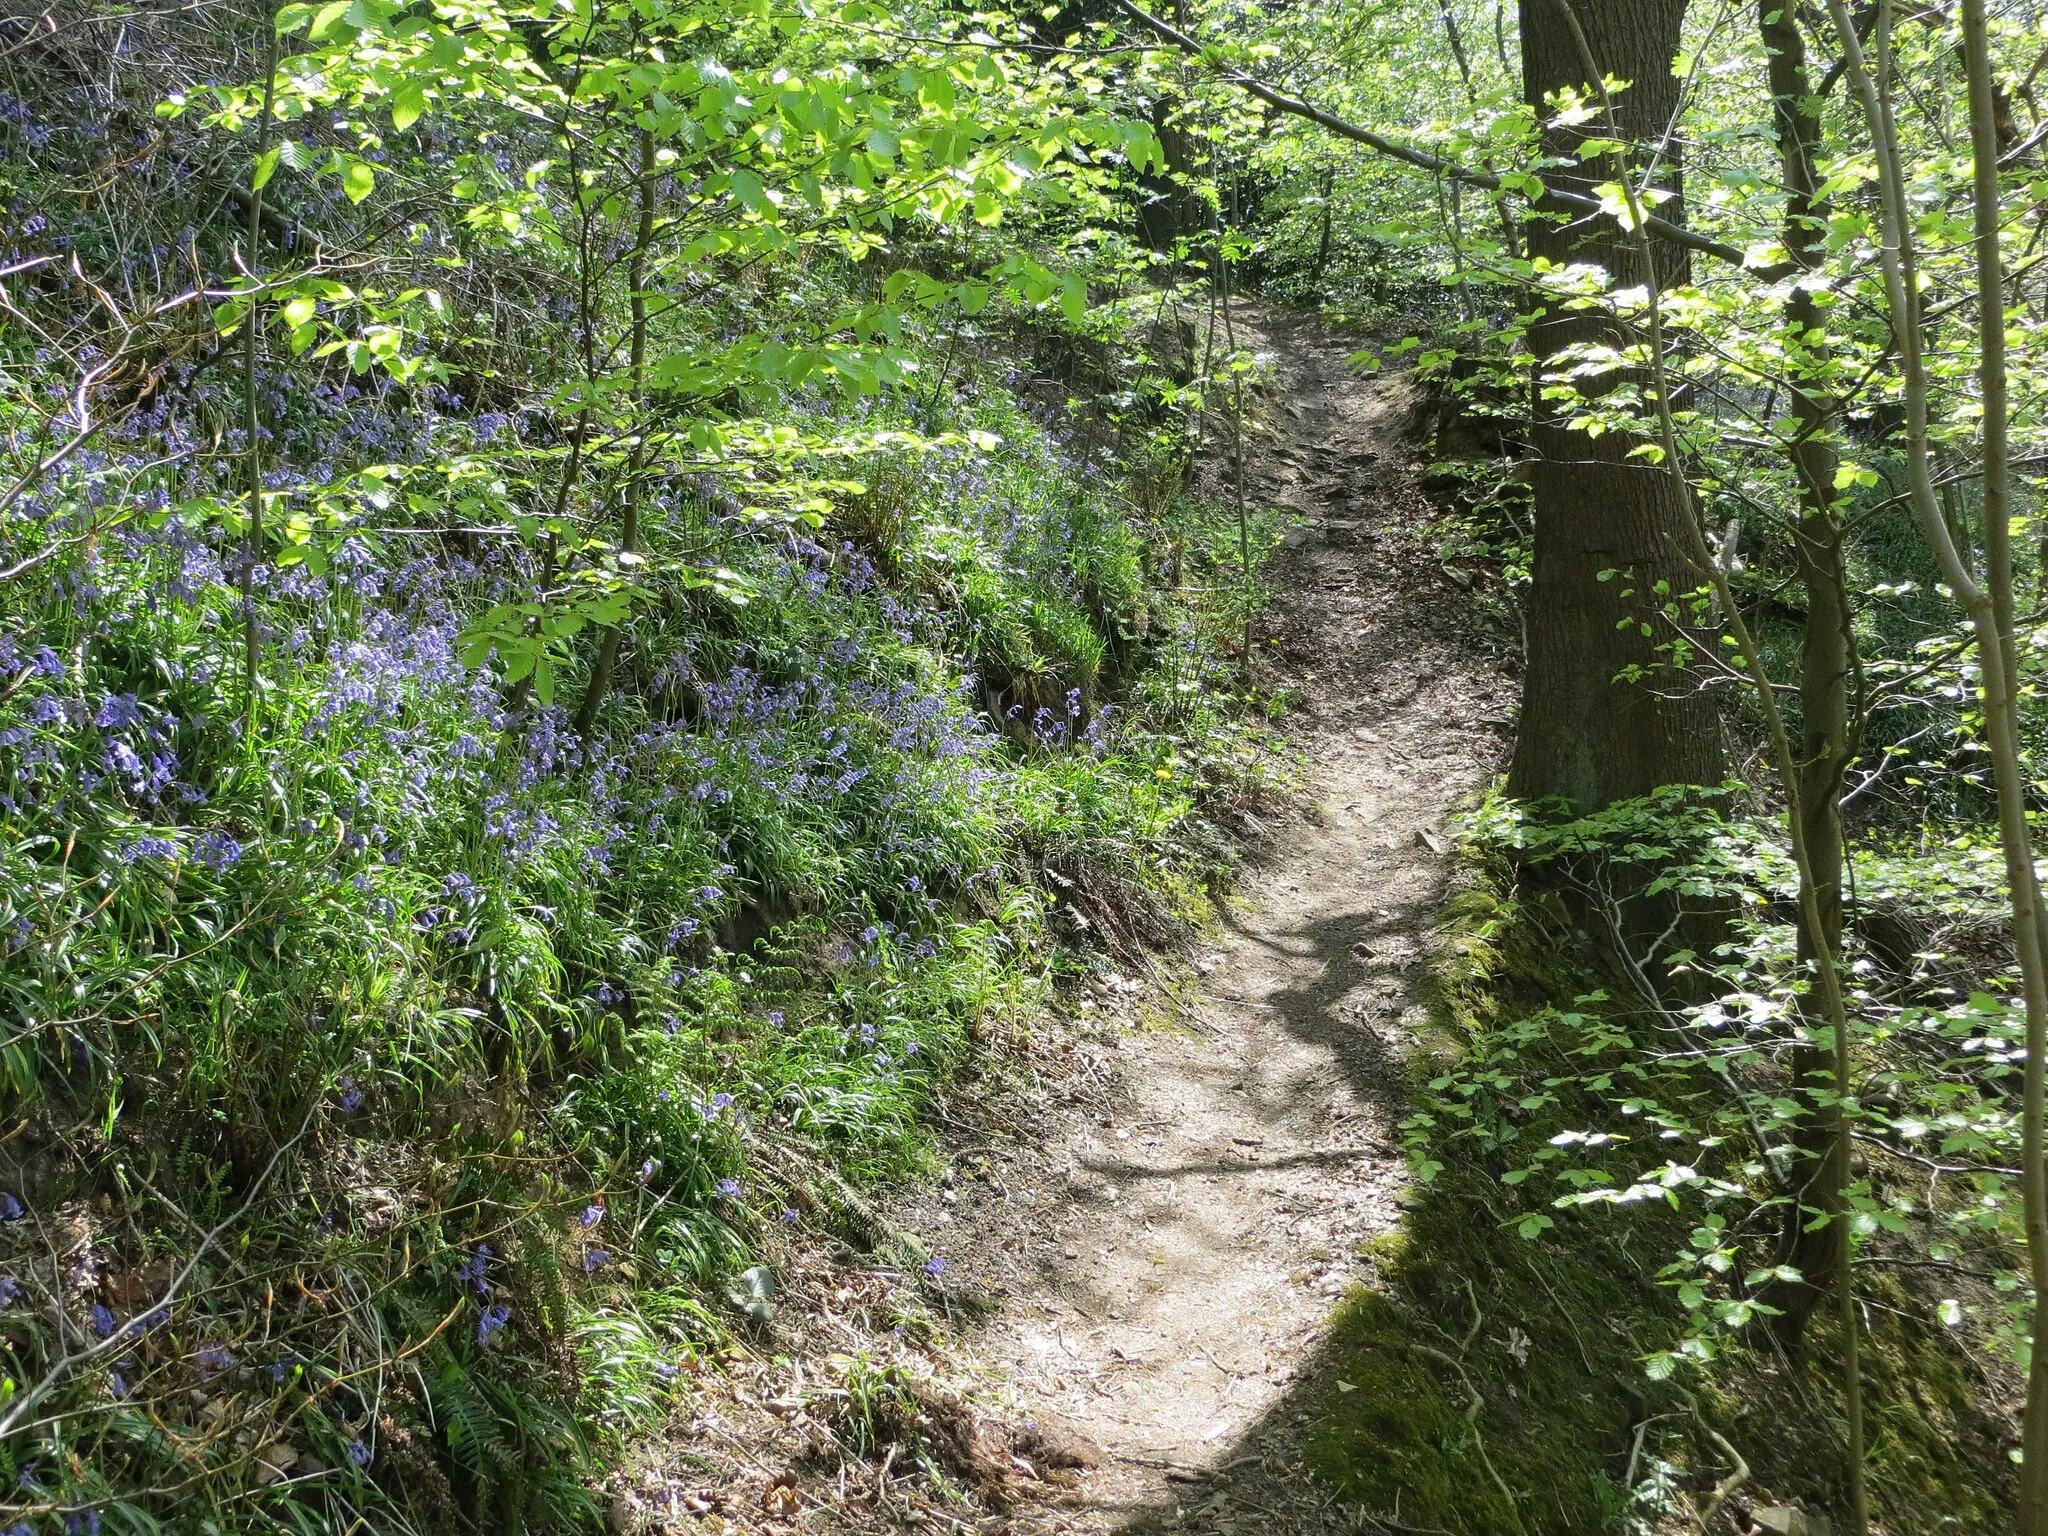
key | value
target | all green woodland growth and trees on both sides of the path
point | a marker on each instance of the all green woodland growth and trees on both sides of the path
(595, 601)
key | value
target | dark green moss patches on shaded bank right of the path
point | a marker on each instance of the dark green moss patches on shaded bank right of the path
(1551, 1336)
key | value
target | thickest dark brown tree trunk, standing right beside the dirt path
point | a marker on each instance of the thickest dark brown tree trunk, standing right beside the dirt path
(1607, 714)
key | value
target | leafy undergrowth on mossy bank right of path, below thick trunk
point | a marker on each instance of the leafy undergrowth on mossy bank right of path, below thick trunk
(1570, 1330)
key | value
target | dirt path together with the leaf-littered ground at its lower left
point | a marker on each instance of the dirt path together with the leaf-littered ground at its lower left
(1146, 1244)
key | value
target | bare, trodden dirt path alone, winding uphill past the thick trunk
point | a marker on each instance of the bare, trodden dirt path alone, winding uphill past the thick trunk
(1170, 1252)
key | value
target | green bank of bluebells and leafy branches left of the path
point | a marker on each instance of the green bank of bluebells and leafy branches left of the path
(564, 663)
